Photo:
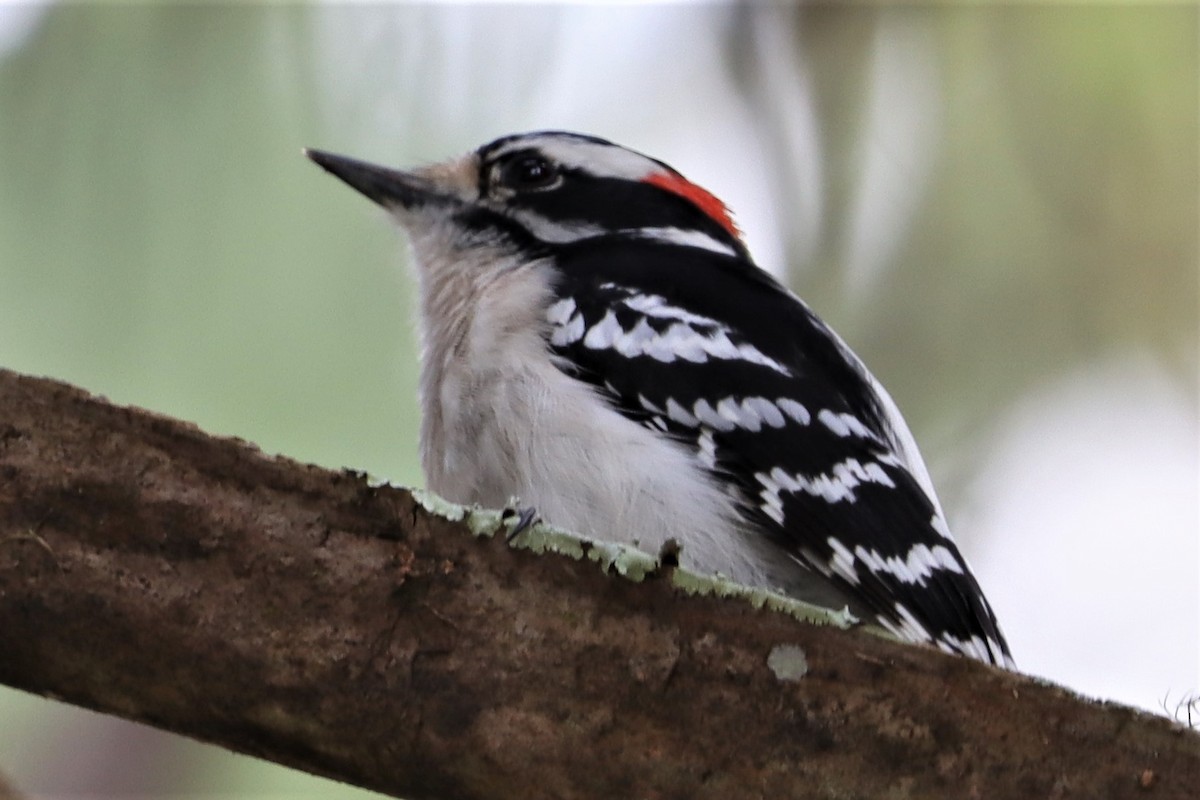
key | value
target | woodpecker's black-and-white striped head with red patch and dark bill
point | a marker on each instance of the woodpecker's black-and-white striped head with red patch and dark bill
(536, 191)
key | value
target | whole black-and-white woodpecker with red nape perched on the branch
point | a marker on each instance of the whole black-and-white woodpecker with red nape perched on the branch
(598, 342)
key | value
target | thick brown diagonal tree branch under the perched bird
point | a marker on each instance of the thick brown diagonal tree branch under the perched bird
(310, 618)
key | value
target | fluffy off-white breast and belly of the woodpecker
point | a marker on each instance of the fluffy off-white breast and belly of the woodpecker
(502, 422)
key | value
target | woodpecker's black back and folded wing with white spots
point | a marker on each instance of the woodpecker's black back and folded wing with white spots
(709, 348)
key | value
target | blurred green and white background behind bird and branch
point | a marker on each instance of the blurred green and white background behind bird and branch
(997, 207)
